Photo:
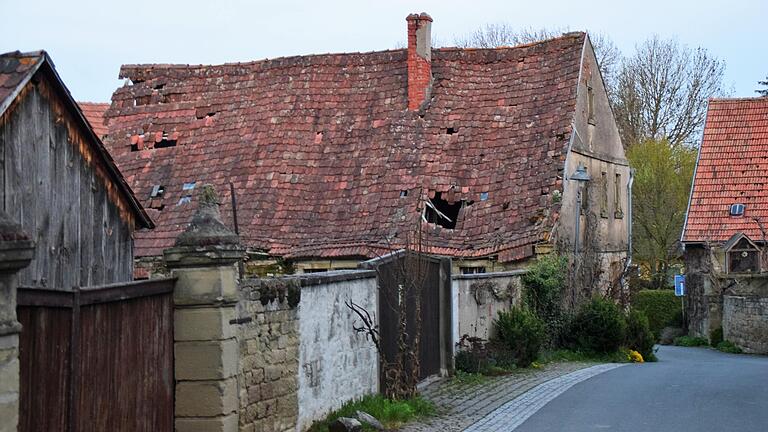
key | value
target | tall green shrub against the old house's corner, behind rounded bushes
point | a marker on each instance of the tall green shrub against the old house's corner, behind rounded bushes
(544, 284)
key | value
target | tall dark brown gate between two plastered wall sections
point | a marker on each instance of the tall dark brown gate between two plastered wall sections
(431, 276)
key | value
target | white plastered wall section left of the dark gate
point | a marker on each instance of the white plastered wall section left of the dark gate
(336, 363)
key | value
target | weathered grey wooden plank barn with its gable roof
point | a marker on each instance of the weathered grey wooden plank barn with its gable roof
(59, 182)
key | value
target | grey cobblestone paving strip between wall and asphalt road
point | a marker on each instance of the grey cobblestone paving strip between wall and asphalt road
(492, 404)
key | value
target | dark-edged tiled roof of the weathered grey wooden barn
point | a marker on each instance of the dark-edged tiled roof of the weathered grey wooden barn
(16, 71)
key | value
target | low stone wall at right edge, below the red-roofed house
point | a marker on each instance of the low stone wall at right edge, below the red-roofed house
(745, 322)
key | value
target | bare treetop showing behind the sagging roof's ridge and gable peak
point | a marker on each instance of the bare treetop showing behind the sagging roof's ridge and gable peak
(501, 34)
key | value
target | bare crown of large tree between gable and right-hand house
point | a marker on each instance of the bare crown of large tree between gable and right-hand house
(661, 91)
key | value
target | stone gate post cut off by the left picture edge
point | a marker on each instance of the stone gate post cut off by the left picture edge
(16, 251)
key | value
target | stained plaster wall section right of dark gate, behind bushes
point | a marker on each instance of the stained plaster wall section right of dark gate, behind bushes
(478, 298)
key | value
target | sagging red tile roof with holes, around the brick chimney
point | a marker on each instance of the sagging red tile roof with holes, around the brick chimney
(326, 161)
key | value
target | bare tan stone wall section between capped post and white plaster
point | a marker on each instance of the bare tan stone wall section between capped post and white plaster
(269, 351)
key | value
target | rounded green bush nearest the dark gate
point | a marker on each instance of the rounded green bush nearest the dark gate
(522, 332)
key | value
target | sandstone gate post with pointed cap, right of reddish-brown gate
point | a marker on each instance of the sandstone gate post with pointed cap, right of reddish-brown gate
(205, 261)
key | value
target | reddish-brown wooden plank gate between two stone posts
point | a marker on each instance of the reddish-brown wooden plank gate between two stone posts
(97, 359)
